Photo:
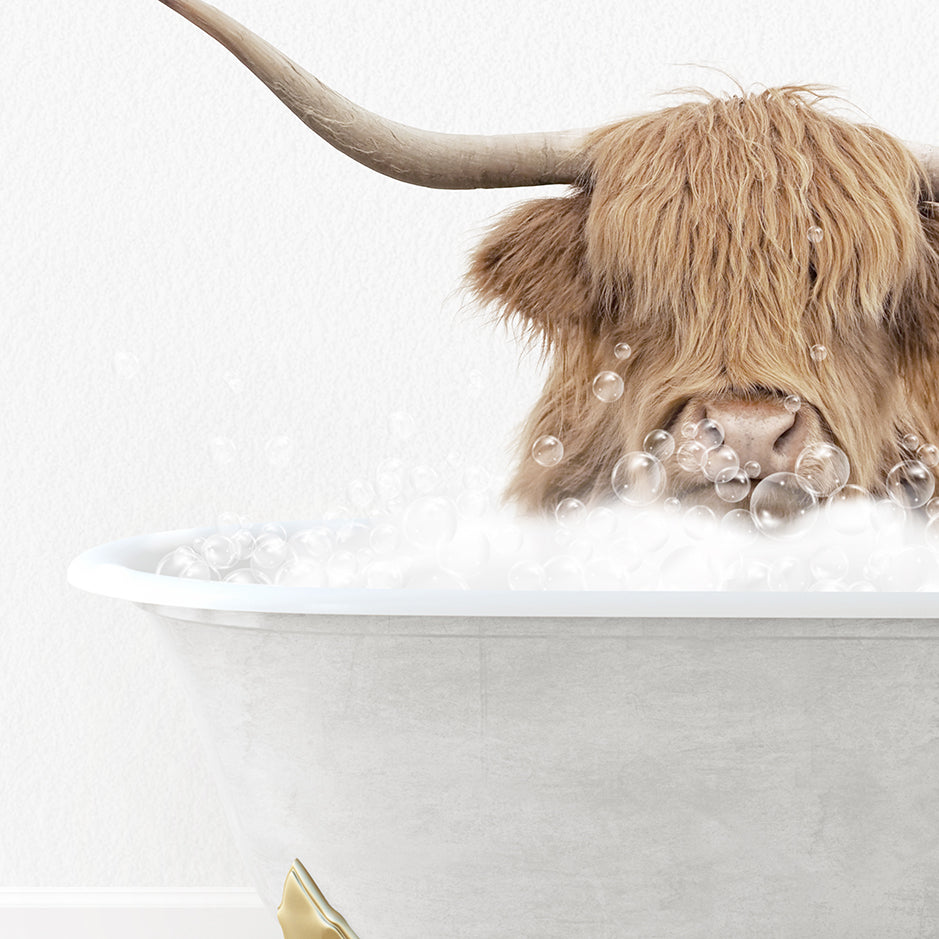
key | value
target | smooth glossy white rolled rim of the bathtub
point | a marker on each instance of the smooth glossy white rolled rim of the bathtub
(113, 570)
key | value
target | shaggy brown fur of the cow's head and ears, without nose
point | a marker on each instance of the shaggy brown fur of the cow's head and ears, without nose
(689, 241)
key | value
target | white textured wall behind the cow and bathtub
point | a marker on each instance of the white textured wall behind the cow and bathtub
(158, 201)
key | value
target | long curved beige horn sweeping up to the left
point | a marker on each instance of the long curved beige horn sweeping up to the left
(424, 158)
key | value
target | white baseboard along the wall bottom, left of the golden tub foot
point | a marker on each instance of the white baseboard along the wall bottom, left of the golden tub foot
(141, 914)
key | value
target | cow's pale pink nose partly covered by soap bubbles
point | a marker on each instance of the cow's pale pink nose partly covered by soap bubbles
(761, 431)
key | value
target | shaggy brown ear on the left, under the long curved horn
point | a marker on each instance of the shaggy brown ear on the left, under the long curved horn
(532, 266)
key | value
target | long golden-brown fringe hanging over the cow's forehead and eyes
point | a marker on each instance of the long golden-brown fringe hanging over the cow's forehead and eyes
(703, 208)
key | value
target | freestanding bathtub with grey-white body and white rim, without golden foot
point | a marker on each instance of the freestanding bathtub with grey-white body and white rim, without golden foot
(551, 765)
